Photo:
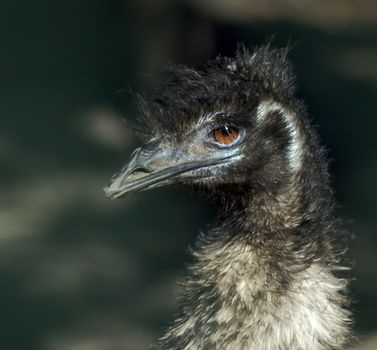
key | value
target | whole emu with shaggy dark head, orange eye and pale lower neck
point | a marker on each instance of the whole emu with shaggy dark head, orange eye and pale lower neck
(268, 274)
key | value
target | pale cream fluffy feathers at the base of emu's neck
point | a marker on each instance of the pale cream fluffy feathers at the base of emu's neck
(243, 305)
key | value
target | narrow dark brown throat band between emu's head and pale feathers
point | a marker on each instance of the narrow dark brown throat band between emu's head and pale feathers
(263, 215)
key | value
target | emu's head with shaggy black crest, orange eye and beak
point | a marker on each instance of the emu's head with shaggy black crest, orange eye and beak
(229, 125)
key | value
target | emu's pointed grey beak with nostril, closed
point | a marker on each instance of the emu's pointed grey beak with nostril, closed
(154, 165)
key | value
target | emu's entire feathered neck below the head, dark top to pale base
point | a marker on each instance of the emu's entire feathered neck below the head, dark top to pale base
(260, 282)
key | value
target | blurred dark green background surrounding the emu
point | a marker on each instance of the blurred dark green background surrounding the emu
(80, 272)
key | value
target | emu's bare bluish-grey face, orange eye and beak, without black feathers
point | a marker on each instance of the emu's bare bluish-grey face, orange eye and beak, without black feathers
(202, 154)
